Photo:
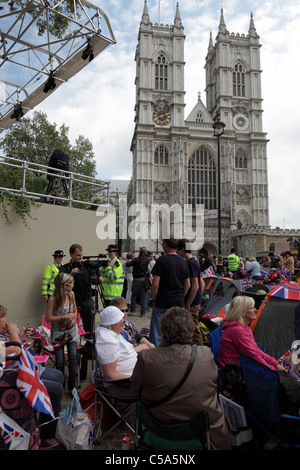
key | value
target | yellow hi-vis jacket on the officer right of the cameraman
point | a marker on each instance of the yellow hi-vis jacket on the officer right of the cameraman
(113, 280)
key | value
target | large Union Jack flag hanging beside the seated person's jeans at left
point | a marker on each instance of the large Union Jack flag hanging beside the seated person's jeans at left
(30, 385)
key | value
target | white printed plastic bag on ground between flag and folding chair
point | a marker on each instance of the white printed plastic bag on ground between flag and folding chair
(74, 428)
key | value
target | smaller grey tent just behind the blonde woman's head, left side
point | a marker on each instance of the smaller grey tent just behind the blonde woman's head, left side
(222, 292)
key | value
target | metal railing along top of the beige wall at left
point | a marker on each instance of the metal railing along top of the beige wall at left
(89, 185)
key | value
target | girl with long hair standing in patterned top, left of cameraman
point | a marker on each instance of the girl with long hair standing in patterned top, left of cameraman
(62, 313)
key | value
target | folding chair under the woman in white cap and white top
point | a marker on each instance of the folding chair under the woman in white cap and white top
(119, 406)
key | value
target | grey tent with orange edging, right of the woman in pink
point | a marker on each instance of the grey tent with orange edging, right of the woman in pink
(273, 328)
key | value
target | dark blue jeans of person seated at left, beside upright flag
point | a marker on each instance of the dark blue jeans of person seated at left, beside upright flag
(53, 380)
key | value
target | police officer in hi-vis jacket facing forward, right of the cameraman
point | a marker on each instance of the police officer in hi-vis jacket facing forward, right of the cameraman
(112, 276)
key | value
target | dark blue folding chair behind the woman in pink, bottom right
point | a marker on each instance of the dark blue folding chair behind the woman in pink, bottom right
(263, 404)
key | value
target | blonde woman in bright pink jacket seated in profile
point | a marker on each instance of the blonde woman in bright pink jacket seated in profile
(237, 336)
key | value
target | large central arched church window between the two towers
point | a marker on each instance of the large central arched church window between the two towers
(202, 187)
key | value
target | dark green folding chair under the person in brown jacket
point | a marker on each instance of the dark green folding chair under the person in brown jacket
(181, 435)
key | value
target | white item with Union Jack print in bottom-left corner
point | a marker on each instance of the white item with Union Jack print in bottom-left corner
(12, 436)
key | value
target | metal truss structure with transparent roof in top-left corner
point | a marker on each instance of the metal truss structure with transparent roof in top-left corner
(42, 40)
